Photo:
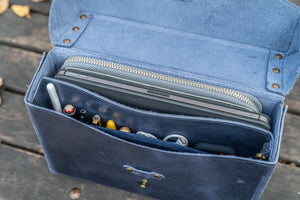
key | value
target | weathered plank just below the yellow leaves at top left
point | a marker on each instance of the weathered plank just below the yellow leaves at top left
(28, 33)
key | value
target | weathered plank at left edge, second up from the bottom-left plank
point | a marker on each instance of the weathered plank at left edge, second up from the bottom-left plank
(15, 124)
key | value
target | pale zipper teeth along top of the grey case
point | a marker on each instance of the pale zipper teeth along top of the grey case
(163, 77)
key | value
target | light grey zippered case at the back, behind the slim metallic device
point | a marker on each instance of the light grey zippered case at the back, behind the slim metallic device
(134, 75)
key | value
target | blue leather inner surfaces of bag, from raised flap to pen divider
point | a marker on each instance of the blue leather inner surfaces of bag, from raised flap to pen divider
(211, 42)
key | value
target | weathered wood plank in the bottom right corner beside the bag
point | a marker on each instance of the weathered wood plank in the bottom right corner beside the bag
(284, 184)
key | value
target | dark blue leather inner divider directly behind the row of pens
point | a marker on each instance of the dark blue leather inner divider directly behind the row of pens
(246, 140)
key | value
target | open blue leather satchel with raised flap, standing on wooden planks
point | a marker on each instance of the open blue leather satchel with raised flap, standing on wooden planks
(248, 46)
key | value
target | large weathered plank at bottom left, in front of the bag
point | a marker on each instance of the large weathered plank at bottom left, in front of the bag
(25, 175)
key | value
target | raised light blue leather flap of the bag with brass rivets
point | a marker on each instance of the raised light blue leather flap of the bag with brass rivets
(251, 43)
